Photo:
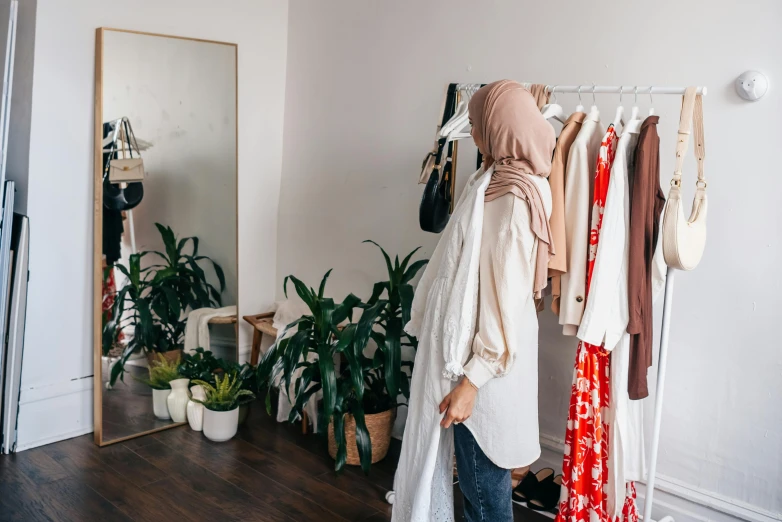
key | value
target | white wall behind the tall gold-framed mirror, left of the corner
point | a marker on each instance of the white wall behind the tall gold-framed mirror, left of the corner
(56, 382)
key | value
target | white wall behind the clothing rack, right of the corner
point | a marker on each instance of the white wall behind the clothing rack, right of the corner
(365, 80)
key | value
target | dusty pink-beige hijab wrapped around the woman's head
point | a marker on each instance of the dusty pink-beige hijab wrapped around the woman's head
(511, 133)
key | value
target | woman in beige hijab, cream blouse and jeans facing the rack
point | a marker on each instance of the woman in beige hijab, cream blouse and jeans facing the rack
(482, 336)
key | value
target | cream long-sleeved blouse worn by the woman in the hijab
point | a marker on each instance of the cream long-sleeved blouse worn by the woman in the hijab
(504, 364)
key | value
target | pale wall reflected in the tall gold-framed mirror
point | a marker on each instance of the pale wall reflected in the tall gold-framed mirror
(180, 96)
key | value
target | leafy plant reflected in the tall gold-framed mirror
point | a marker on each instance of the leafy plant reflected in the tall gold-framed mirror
(151, 308)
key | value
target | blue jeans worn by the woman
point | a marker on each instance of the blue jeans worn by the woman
(485, 486)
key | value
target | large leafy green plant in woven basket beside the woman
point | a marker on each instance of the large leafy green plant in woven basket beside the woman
(358, 402)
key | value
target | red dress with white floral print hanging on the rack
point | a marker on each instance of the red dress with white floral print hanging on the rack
(585, 465)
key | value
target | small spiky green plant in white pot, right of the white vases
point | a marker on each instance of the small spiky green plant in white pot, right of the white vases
(221, 406)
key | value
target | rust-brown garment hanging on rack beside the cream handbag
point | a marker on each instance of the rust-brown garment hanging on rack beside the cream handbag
(646, 204)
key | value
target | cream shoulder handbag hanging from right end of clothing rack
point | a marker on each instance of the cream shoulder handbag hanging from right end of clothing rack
(685, 239)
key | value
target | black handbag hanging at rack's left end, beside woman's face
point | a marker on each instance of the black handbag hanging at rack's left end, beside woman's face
(435, 208)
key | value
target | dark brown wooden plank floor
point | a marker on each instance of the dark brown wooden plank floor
(268, 472)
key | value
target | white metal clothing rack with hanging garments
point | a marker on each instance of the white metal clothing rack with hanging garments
(668, 298)
